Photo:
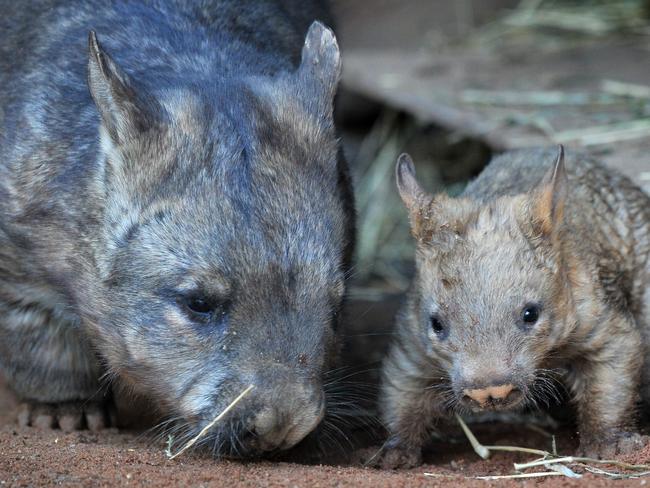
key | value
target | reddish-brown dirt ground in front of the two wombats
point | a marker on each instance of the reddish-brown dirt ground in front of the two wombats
(29, 457)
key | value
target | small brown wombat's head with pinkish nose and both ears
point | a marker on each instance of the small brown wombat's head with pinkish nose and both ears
(488, 302)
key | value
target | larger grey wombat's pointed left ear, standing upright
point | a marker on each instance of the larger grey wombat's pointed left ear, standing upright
(124, 112)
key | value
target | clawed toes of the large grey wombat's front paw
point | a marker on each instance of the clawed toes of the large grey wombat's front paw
(68, 416)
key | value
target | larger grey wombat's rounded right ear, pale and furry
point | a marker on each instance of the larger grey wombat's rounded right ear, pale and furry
(320, 67)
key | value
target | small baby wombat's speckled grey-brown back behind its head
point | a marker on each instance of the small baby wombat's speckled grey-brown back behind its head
(606, 218)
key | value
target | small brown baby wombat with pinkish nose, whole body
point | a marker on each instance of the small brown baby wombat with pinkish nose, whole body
(537, 274)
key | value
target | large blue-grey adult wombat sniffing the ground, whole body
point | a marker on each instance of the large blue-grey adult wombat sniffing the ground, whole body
(182, 222)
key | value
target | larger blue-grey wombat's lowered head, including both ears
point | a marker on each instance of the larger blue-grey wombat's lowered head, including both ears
(226, 242)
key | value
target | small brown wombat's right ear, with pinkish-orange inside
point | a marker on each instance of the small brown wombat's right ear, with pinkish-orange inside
(549, 198)
